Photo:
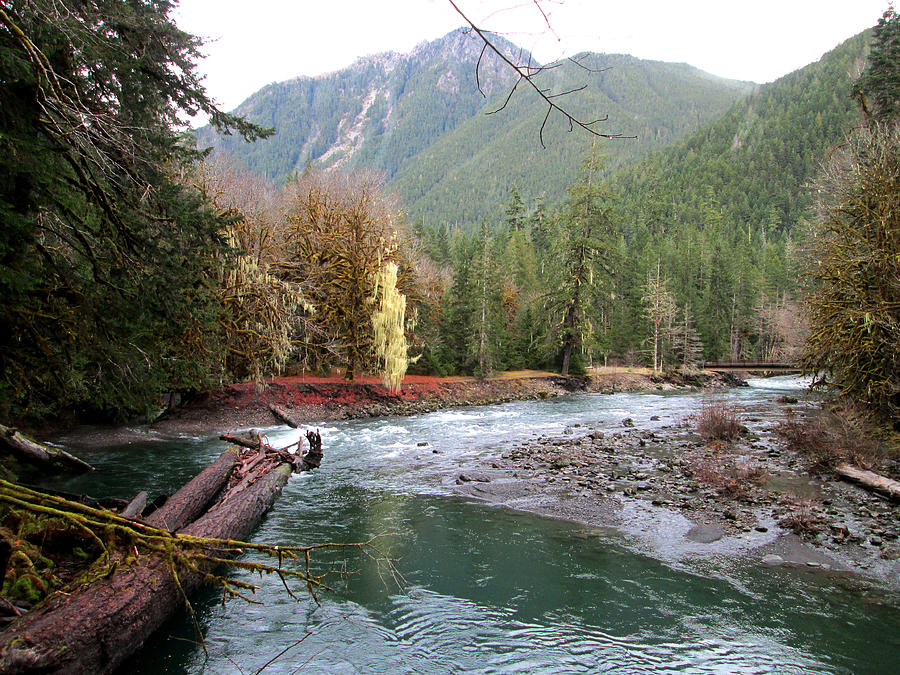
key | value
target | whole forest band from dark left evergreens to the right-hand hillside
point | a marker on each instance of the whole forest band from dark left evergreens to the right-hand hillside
(134, 265)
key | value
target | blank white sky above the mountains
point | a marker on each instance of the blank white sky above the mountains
(256, 42)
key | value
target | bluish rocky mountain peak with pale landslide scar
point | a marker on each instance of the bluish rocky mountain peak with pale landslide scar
(376, 114)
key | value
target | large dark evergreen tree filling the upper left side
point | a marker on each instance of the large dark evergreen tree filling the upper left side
(106, 260)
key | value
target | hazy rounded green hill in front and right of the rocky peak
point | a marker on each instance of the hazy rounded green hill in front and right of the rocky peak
(467, 174)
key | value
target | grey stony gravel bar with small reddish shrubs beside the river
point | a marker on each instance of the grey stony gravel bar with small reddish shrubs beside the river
(684, 497)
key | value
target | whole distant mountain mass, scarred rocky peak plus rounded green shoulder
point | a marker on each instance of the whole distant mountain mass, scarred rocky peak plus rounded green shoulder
(421, 120)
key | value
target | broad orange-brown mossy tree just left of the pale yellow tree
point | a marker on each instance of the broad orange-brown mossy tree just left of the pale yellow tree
(340, 232)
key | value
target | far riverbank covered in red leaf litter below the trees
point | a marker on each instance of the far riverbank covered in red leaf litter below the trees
(313, 400)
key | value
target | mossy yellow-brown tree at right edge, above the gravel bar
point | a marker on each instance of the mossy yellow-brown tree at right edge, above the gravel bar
(855, 305)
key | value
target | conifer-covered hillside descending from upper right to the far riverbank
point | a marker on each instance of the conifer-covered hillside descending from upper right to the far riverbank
(691, 254)
